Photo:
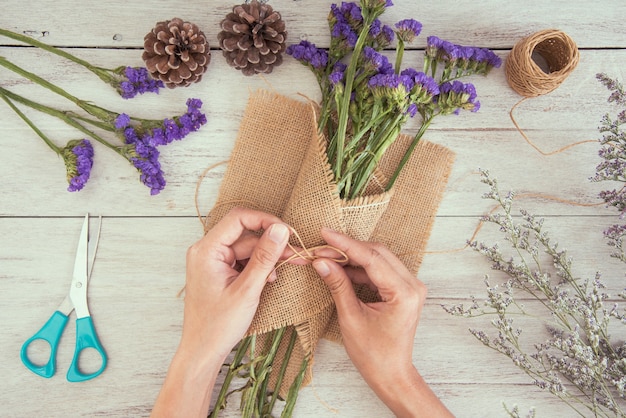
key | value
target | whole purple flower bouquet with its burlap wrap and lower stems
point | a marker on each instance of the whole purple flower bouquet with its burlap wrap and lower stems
(341, 164)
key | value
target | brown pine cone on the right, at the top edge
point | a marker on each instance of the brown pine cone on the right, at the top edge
(253, 38)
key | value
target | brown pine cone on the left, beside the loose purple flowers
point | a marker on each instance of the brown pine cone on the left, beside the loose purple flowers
(176, 52)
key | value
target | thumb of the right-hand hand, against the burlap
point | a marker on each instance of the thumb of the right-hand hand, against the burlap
(340, 286)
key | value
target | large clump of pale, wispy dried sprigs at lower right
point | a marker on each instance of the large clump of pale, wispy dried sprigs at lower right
(579, 362)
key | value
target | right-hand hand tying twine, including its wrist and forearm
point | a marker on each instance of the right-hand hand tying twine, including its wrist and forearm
(379, 336)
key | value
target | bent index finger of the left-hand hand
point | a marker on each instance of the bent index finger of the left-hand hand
(238, 220)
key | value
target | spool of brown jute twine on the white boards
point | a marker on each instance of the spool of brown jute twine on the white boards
(526, 77)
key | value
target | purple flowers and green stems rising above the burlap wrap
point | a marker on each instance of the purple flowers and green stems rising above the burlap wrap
(366, 100)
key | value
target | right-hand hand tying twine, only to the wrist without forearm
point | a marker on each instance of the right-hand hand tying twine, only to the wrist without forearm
(378, 336)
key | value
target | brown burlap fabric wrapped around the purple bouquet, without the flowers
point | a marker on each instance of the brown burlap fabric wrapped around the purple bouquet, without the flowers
(278, 165)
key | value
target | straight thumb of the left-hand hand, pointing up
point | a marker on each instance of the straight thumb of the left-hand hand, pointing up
(264, 257)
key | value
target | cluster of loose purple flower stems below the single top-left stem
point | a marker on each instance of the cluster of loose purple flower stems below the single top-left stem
(139, 137)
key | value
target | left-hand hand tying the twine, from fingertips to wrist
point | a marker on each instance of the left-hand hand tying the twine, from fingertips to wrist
(220, 301)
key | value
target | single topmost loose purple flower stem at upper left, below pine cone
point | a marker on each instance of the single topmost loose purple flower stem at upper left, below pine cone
(128, 81)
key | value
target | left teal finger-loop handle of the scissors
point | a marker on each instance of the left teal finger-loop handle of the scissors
(51, 333)
